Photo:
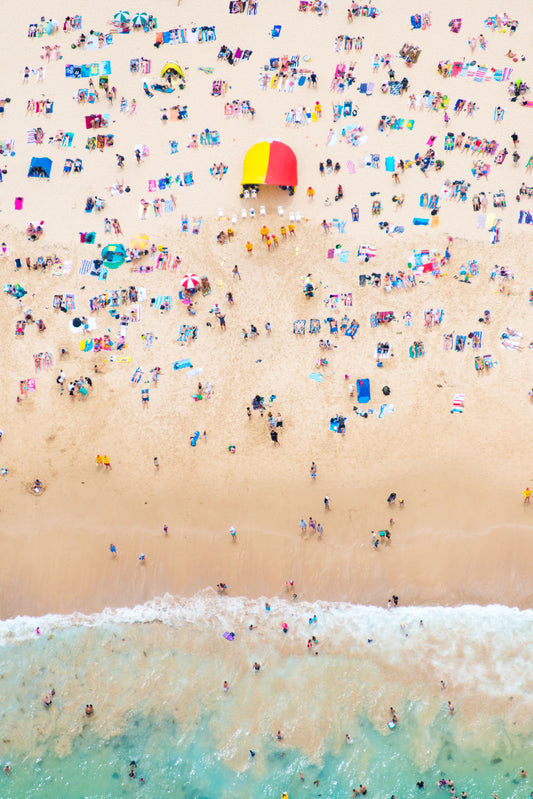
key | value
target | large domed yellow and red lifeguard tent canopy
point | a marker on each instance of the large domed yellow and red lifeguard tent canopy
(270, 162)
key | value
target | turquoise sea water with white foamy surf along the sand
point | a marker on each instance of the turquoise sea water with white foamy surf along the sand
(155, 676)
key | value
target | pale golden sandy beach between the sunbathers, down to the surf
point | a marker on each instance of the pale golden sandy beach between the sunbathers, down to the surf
(463, 534)
